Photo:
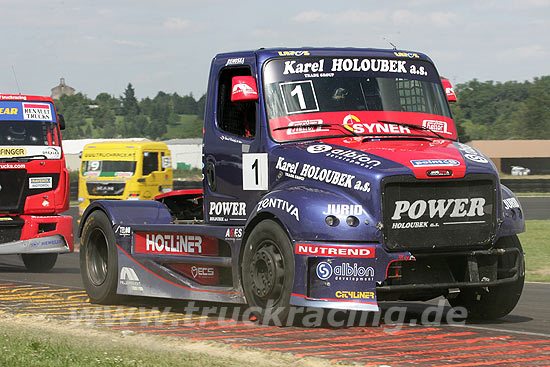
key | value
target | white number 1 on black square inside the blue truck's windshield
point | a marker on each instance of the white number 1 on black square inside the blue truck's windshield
(299, 97)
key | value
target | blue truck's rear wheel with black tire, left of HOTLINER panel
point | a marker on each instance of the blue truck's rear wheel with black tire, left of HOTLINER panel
(98, 259)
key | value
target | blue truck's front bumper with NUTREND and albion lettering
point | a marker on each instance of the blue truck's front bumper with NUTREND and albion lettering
(327, 277)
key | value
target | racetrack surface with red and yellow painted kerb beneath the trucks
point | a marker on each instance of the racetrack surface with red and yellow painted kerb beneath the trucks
(521, 338)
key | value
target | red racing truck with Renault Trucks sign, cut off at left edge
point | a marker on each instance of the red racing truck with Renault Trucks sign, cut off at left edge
(34, 182)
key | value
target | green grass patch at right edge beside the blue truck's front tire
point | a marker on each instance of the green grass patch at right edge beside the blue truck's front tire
(536, 245)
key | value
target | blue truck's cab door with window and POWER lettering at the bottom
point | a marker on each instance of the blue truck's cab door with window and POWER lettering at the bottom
(231, 143)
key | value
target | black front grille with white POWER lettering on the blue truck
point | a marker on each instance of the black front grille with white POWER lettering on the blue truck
(438, 214)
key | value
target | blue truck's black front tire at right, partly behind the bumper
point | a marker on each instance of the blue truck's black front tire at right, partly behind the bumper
(500, 300)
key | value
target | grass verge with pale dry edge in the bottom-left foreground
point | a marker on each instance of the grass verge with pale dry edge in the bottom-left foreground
(37, 342)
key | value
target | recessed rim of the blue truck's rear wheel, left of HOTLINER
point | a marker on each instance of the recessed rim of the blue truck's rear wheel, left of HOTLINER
(97, 256)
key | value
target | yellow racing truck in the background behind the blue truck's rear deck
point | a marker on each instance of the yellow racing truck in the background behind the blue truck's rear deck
(124, 170)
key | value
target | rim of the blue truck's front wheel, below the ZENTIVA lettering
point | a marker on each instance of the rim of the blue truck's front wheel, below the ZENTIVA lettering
(267, 273)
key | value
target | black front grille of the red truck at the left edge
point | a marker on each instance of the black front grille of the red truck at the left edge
(12, 187)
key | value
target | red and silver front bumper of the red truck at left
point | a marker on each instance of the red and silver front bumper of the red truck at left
(34, 234)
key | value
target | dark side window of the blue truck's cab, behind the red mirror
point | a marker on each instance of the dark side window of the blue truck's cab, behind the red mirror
(237, 118)
